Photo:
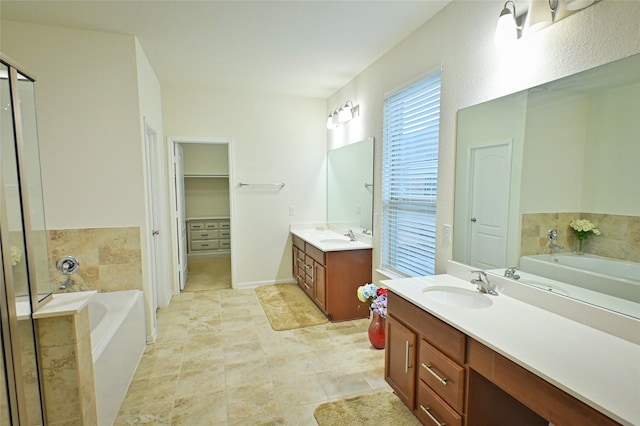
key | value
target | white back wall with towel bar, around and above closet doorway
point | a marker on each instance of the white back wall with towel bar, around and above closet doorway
(275, 139)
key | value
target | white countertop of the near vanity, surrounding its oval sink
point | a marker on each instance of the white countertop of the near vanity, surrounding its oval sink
(598, 368)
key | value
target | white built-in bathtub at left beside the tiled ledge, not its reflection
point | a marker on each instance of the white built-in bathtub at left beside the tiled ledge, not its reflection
(118, 339)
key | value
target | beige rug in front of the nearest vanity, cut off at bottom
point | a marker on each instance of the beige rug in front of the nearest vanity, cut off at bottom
(376, 409)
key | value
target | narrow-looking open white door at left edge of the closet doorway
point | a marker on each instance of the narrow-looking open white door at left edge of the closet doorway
(181, 220)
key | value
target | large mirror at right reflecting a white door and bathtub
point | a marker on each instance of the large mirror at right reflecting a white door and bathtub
(529, 163)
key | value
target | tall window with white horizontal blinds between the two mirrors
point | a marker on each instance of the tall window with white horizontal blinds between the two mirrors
(410, 178)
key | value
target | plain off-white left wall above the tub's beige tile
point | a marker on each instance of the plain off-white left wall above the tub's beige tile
(88, 123)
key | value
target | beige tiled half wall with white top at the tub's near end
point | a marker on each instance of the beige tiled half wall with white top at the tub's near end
(66, 362)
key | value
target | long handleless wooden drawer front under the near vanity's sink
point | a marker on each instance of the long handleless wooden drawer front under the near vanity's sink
(442, 336)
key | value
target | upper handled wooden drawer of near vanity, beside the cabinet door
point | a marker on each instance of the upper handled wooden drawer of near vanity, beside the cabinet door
(442, 375)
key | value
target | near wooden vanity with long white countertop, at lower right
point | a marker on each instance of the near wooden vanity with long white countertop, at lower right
(458, 357)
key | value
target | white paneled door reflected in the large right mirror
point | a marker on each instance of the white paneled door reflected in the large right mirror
(489, 213)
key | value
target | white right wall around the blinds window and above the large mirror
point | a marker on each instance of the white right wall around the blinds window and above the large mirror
(474, 70)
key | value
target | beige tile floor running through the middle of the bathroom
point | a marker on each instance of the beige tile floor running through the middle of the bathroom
(218, 362)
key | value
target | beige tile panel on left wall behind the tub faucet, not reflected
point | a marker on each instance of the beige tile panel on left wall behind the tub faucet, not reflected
(110, 258)
